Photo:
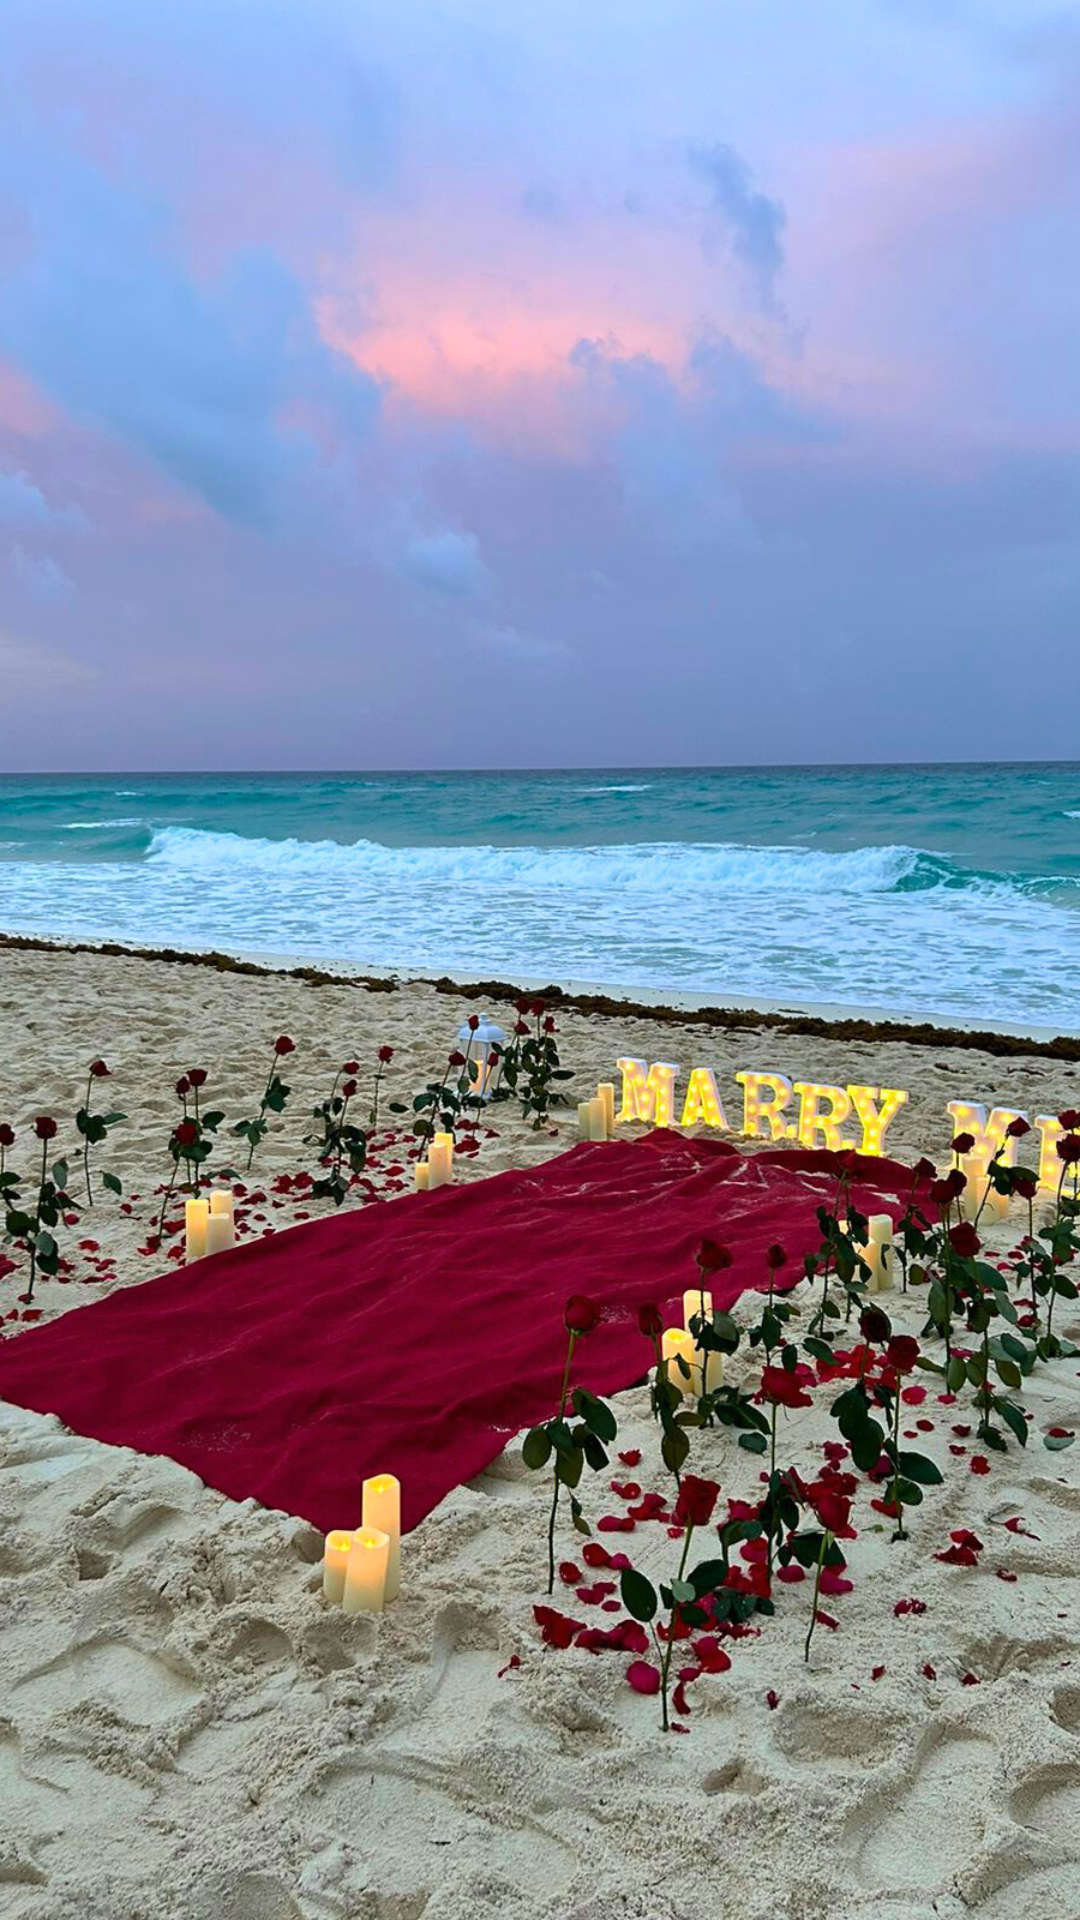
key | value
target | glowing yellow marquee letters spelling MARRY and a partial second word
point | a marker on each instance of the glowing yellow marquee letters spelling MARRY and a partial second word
(820, 1116)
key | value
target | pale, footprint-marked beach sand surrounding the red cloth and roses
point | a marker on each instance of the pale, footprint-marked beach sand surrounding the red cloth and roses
(187, 1729)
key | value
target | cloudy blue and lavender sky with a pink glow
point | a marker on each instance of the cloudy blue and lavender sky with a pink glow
(539, 385)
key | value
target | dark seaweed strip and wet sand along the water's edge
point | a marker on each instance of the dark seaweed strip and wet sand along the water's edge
(737, 1013)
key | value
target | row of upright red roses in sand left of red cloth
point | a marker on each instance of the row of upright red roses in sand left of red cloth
(51, 1195)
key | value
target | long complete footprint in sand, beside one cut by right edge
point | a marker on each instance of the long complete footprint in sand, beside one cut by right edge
(908, 1838)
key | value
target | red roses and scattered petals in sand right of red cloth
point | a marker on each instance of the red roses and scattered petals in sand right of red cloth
(987, 1328)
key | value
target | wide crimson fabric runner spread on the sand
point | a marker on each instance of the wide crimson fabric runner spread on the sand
(414, 1337)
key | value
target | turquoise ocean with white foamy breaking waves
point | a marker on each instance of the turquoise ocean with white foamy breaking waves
(927, 890)
